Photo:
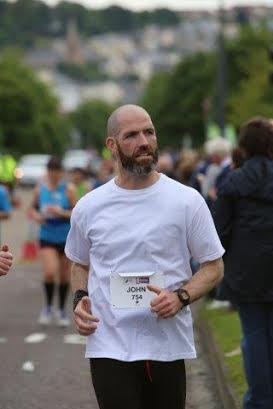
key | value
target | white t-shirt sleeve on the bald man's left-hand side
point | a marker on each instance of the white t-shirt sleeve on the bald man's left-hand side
(77, 246)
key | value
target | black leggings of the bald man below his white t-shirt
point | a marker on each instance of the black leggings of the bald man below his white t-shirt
(139, 384)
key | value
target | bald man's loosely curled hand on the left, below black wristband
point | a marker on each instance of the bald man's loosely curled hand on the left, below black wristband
(86, 322)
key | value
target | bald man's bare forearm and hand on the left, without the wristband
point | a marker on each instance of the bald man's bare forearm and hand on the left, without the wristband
(85, 321)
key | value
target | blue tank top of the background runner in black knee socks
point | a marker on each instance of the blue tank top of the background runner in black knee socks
(55, 229)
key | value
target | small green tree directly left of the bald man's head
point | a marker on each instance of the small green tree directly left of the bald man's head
(90, 120)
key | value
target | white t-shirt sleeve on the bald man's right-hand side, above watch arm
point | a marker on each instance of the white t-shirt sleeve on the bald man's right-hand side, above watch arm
(203, 241)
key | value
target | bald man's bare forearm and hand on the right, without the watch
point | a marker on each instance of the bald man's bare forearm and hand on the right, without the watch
(166, 304)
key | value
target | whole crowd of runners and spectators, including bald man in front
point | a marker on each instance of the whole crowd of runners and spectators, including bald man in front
(145, 238)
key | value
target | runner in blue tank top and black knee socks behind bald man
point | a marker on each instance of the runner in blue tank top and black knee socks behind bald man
(51, 207)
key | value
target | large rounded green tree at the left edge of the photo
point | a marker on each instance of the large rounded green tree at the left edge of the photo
(29, 118)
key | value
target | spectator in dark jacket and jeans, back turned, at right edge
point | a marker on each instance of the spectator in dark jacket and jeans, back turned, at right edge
(243, 216)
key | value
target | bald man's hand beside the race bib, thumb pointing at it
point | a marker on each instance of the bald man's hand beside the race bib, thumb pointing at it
(166, 304)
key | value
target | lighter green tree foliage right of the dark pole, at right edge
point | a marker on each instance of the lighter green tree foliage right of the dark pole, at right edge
(250, 92)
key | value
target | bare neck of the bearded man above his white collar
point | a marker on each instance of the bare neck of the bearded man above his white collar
(126, 180)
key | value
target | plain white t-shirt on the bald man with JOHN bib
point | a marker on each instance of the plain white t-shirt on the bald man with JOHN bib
(158, 228)
